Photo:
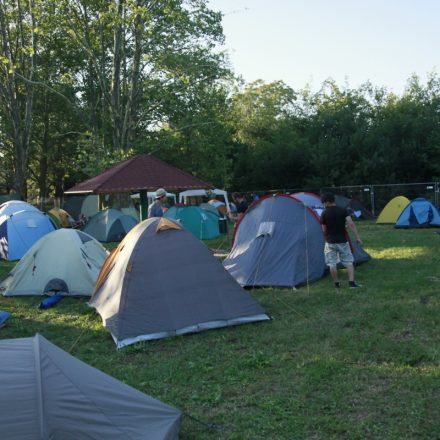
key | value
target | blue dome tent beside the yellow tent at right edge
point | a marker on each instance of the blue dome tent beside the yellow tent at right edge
(419, 213)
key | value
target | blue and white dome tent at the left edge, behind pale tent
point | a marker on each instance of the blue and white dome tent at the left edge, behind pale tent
(19, 231)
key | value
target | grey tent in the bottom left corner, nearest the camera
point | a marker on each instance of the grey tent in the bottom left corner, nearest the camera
(49, 394)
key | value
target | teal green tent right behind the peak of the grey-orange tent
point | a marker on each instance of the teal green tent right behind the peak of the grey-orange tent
(202, 223)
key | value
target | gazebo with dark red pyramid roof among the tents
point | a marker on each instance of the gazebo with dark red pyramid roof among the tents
(140, 173)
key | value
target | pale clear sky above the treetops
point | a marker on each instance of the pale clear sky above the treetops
(305, 42)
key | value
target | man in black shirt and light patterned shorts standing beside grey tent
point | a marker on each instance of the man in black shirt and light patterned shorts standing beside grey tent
(334, 220)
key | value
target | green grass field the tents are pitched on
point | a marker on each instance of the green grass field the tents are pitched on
(348, 364)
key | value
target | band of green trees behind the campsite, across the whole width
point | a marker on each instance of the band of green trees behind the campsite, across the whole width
(84, 84)
